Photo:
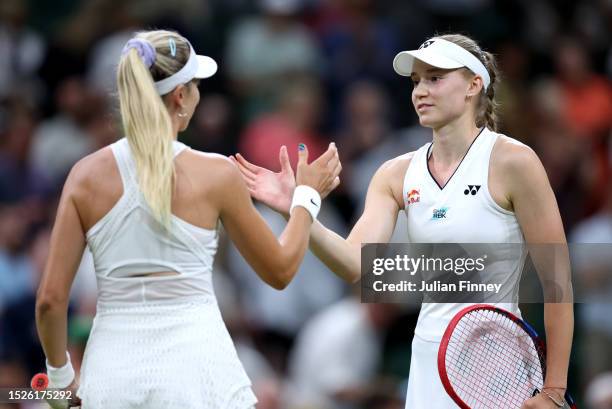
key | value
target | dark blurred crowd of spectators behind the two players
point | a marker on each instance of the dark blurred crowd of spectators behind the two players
(310, 71)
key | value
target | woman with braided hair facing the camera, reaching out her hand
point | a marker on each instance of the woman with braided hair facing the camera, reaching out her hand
(469, 185)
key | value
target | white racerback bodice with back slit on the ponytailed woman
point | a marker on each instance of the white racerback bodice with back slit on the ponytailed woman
(128, 241)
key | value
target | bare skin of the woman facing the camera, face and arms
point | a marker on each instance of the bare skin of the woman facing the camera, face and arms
(444, 101)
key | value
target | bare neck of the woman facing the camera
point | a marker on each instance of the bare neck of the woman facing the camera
(452, 140)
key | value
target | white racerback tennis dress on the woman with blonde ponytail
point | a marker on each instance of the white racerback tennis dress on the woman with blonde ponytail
(156, 342)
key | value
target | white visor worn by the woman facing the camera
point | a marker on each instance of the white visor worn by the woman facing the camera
(441, 54)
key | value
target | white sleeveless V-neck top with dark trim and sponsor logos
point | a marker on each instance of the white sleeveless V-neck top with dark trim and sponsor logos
(462, 211)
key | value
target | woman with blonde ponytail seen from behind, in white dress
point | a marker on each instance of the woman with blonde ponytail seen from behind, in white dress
(148, 207)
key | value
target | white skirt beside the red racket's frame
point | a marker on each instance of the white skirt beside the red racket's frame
(425, 389)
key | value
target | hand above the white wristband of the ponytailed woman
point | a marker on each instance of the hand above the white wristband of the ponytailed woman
(322, 173)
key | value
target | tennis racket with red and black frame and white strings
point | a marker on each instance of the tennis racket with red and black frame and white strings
(489, 358)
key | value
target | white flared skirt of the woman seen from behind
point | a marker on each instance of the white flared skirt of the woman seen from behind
(162, 355)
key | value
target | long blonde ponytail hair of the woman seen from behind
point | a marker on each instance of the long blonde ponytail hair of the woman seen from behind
(146, 121)
